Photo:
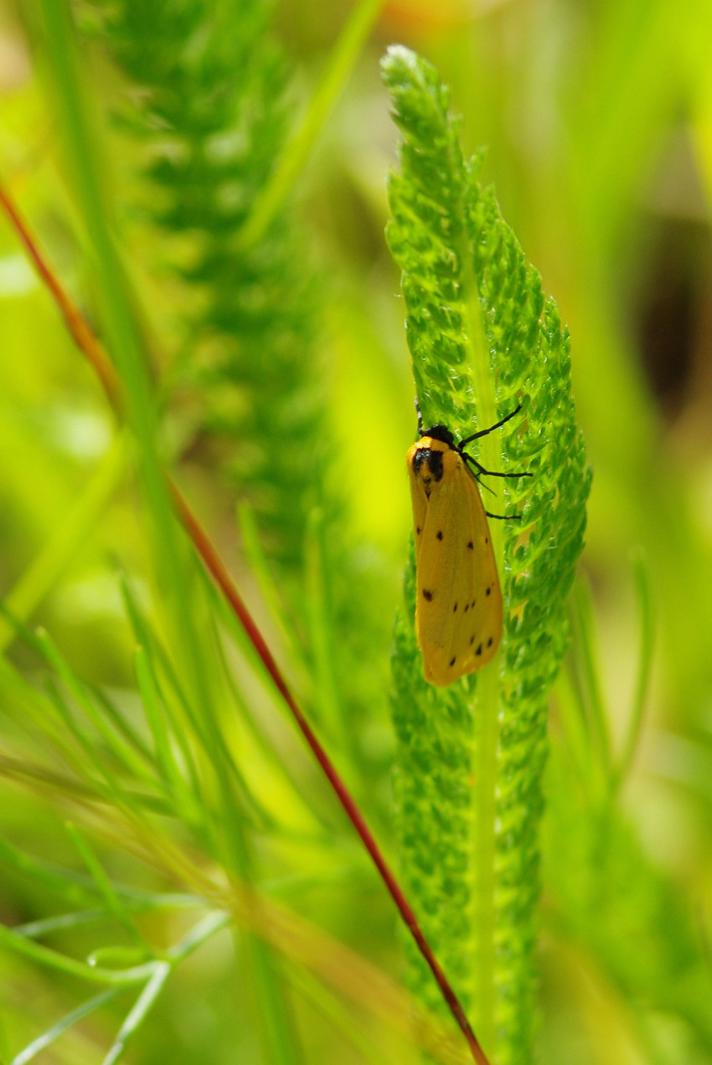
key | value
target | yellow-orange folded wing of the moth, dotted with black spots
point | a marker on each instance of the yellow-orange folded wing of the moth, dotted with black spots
(459, 609)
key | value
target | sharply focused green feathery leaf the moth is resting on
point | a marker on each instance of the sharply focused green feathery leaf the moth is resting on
(484, 339)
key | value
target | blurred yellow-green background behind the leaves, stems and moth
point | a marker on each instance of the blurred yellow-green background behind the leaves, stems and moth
(598, 122)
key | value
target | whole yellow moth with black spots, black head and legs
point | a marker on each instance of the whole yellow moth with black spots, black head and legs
(459, 603)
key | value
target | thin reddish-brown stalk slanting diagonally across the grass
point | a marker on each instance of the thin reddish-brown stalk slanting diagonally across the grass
(91, 347)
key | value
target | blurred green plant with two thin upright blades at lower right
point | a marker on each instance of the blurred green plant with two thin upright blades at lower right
(624, 915)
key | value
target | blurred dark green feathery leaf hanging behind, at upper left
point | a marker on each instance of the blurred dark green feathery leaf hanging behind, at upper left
(212, 112)
